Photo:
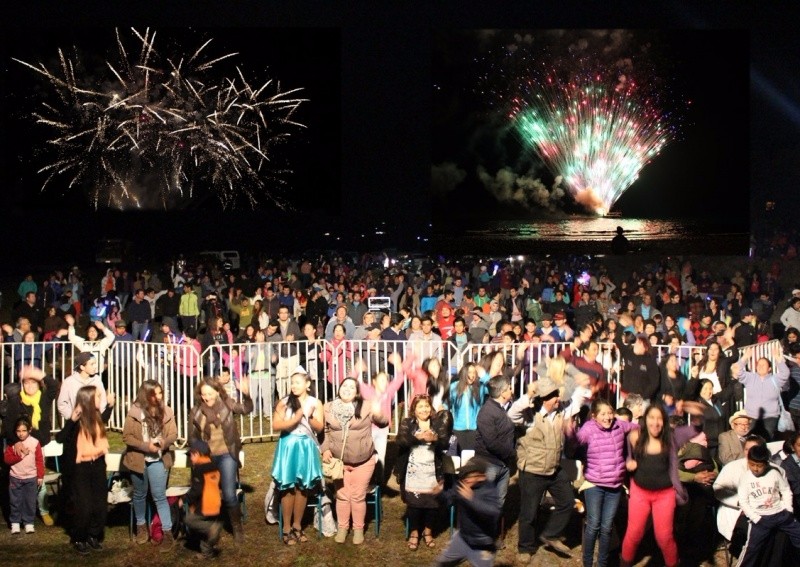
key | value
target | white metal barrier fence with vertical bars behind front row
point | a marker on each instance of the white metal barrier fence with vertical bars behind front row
(269, 366)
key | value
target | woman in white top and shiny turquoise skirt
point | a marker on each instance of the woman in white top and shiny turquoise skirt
(297, 467)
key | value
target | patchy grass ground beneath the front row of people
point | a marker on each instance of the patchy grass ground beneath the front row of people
(50, 546)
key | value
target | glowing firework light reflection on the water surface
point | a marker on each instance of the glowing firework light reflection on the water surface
(597, 229)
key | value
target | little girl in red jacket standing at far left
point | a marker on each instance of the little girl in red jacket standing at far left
(27, 474)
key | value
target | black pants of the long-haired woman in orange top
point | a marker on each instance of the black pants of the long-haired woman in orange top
(89, 494)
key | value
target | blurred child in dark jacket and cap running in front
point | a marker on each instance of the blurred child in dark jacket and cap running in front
(479, 510)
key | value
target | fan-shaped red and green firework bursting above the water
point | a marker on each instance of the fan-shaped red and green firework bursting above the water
(596, 130)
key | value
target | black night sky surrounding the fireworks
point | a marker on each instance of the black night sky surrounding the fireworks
(370, 148)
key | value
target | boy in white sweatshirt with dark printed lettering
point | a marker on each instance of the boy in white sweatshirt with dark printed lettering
(766, 500)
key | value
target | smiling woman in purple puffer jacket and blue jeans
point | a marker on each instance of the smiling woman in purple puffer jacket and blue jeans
(604, 438)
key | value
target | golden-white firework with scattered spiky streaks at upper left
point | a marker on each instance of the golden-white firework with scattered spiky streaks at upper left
(154, 131)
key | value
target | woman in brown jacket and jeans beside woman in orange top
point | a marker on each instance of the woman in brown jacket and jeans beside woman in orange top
(149, 432)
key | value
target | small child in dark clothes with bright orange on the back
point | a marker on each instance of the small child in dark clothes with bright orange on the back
(204, 499)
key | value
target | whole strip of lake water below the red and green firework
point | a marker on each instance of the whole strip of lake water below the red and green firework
(586, 235)
